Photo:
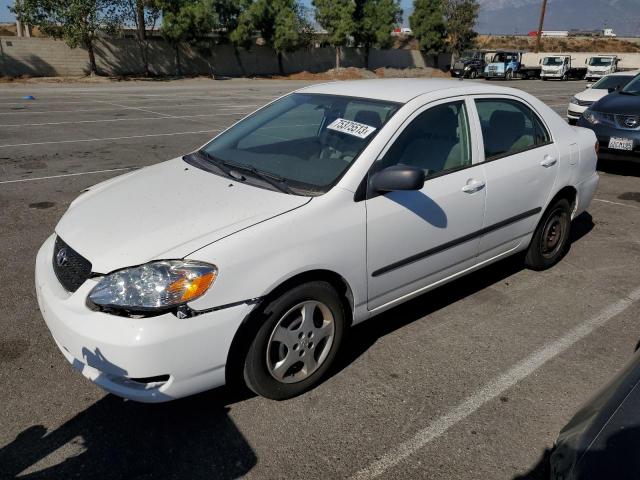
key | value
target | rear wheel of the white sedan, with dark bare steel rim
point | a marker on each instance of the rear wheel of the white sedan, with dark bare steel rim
(550, 240)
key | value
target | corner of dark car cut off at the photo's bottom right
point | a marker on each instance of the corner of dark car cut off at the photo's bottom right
(602, 440)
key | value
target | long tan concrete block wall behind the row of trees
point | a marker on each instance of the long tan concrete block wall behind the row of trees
(48, 57)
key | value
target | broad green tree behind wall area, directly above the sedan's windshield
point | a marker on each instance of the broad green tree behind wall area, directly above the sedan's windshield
(281, 24)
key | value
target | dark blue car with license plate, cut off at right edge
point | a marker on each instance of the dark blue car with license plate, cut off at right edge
(615, 119)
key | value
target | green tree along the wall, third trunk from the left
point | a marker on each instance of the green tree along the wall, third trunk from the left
(186, 21)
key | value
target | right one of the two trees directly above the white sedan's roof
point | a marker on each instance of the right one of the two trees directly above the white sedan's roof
(375, 20)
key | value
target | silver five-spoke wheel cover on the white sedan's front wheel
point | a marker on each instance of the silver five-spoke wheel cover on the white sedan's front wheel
(300, 342)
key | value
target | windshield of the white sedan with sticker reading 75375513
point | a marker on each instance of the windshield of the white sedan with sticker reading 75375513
(306, 140)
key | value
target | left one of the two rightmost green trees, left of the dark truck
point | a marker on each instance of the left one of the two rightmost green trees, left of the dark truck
(427, 23)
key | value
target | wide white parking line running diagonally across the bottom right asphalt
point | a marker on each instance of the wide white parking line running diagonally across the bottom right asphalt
(495, 388)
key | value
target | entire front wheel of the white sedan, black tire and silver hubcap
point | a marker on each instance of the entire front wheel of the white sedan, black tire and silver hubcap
(292, 350)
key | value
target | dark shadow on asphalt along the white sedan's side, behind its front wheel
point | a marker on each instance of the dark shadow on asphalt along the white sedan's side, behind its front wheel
(364, 335)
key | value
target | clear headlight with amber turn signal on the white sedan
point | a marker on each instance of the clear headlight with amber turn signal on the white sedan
(154, 286)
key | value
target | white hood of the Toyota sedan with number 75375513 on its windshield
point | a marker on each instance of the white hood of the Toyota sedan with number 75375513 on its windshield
(168, 210)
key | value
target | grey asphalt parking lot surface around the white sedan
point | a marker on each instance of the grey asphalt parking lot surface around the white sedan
(473, 380)
